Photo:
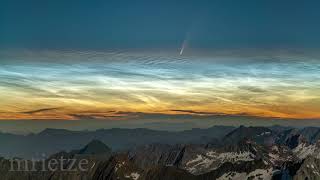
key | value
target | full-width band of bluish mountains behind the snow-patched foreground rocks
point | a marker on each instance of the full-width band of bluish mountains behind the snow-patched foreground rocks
(51, 141)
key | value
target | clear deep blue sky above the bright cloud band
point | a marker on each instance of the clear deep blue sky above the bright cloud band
(99, 24)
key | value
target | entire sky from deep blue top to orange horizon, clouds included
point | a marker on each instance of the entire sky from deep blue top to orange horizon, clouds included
(123, 60)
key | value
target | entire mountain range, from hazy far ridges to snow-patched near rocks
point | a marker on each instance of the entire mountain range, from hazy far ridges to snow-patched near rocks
(218, 152)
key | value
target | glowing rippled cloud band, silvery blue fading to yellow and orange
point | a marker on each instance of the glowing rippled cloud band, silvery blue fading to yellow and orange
(50, 85)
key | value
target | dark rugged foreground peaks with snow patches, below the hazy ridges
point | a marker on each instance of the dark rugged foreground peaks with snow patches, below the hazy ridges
(241, 154)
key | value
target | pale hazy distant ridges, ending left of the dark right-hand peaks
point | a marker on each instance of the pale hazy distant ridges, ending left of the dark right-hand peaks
(51, 141)
